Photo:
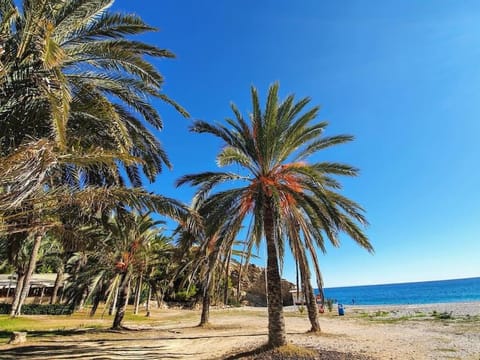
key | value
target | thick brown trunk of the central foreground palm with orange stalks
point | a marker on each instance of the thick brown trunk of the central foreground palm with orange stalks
(276, 322)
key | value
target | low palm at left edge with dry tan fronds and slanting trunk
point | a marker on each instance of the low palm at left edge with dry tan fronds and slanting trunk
(27, 174)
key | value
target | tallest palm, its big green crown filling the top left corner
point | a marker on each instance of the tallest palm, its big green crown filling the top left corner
(70, 75)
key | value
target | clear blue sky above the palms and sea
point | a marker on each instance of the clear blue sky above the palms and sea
(403, 77)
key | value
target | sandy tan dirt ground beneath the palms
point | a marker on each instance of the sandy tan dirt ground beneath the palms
(362, 332)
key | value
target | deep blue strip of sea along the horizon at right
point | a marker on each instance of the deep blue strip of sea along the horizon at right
(427, 292)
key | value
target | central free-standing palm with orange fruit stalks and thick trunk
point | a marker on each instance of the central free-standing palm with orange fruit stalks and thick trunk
(278, 186)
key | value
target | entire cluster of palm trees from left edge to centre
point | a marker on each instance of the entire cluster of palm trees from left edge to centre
(76, 148)
